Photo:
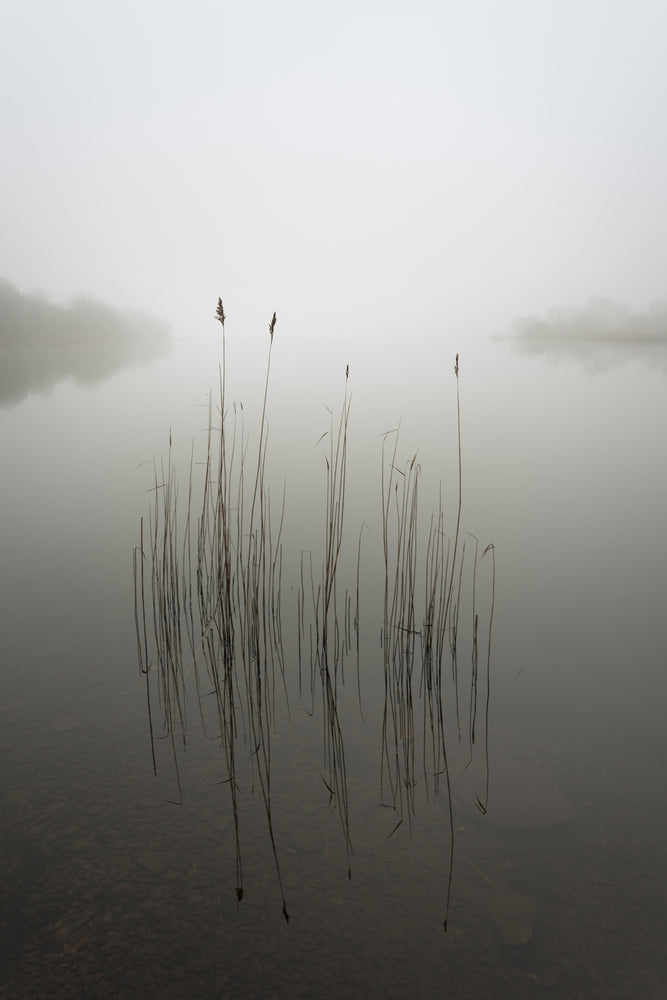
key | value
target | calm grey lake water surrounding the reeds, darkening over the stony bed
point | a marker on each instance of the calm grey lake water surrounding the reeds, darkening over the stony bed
(110, 889)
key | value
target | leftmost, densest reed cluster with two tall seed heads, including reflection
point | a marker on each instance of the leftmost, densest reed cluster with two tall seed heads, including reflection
(221, 588)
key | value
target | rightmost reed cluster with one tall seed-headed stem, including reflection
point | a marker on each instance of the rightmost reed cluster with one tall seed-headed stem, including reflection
(425, 639)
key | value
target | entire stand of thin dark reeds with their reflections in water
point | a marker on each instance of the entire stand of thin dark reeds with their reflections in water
(214, 585)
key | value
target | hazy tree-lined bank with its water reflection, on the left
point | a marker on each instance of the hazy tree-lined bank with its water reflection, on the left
(42, 343)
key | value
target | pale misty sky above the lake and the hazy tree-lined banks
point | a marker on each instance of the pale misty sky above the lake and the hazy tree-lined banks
(369, 170)
